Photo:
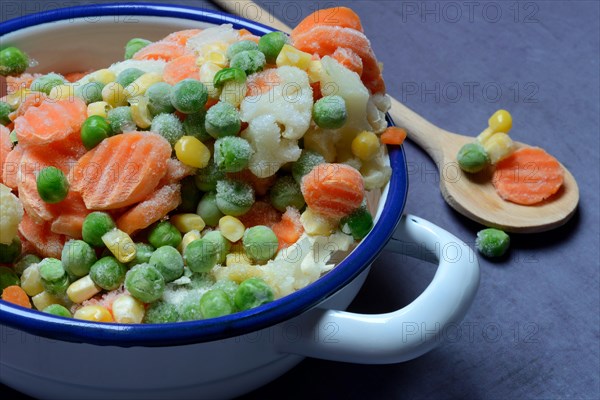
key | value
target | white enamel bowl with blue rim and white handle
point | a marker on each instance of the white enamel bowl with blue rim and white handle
(50, 357)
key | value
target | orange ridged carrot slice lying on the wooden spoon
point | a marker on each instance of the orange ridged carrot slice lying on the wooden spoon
(528, 176)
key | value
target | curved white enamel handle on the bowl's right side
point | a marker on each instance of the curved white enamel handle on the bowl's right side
(406, 333)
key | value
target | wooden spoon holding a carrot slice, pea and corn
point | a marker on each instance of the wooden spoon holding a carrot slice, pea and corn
(472, 195)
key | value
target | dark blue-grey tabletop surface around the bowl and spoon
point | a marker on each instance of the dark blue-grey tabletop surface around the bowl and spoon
(533, 331)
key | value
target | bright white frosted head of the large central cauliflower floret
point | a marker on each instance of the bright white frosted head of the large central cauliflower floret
(289, 102)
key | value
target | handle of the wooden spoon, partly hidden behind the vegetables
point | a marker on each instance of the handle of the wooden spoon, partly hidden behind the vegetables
(423, 133)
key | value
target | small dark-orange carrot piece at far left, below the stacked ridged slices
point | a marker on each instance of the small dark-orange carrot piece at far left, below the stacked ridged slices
(45, 242)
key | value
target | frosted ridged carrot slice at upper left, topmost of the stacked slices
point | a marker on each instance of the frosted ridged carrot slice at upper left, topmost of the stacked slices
(51, 121)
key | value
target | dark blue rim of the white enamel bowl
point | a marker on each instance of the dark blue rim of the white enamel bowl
(182, 333)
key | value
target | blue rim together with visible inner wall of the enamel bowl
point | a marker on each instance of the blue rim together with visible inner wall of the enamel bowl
(92, 37)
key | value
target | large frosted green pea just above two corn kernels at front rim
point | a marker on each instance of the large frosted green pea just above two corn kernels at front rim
(145, 283)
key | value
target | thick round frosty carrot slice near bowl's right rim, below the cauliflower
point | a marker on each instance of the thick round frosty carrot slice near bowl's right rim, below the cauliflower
(333, 190)
